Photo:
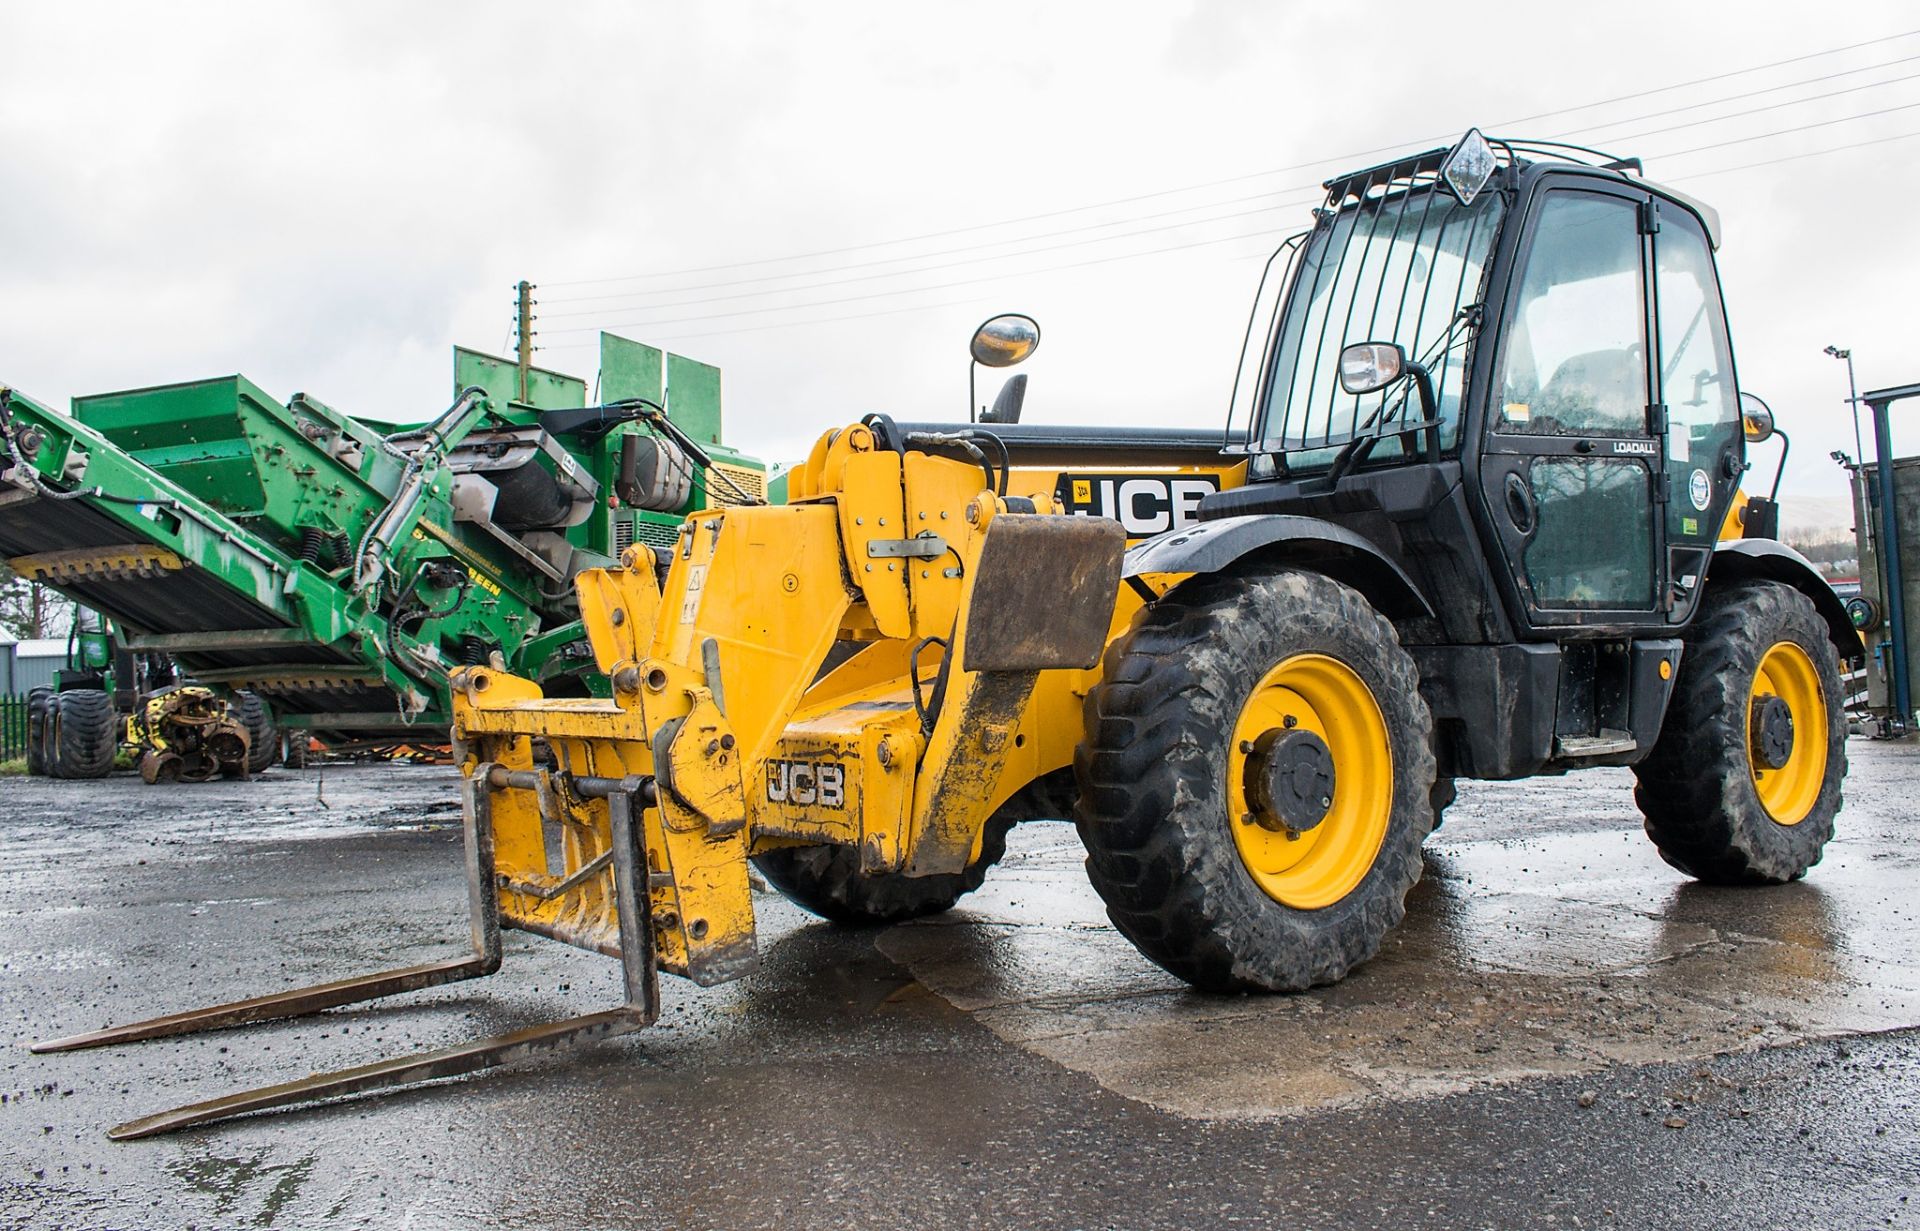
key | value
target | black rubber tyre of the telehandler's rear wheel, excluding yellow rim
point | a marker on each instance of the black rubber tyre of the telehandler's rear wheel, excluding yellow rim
(1696, 786)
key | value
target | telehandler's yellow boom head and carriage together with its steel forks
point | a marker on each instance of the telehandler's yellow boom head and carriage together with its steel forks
(727, 738)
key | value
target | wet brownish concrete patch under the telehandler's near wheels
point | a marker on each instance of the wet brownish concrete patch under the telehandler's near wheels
(1554, 953)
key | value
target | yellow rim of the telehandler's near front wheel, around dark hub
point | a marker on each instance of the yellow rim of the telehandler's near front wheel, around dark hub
(1316, 867)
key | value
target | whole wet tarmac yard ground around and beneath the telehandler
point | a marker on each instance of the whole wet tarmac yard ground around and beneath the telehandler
(1564, 1034)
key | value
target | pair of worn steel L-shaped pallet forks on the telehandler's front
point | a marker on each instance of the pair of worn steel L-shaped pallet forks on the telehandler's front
(638, 1011)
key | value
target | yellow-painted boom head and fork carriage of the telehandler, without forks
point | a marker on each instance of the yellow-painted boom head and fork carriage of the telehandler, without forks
(723, 698)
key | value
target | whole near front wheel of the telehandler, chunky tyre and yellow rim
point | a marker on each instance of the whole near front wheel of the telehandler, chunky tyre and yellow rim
(1257, 783)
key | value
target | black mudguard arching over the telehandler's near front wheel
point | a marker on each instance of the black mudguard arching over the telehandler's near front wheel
(1285, 539)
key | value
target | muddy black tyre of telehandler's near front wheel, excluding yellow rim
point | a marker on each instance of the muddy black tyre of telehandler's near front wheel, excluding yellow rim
(1153, 783)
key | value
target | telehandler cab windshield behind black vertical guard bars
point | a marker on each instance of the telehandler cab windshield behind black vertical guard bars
(1387, 270)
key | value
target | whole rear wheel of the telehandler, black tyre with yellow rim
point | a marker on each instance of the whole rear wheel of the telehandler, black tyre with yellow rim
(1744, 783)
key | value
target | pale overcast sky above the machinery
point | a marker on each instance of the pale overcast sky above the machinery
(327, 199)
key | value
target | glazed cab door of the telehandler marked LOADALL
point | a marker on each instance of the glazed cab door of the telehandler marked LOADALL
(1572, 462)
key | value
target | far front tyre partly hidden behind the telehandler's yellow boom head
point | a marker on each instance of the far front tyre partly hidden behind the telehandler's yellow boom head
(828, 881)
